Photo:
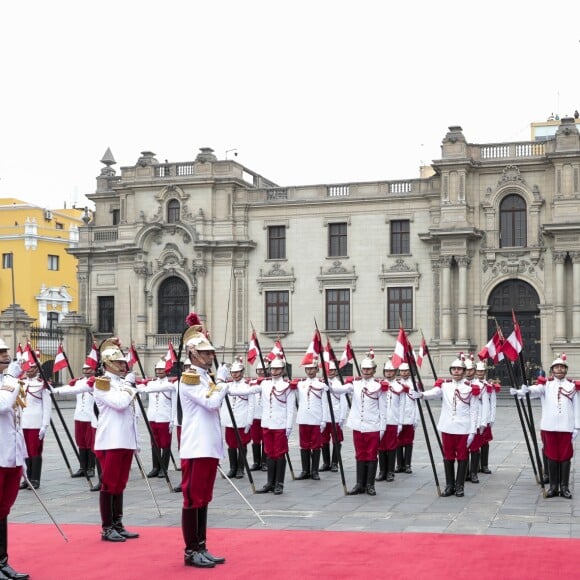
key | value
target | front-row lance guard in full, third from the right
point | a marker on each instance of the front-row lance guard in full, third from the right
(367, 419)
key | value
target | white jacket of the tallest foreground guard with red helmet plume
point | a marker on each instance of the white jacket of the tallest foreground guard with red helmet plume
(201, 430)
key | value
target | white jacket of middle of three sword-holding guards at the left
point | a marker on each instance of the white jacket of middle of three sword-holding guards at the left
(117, 422)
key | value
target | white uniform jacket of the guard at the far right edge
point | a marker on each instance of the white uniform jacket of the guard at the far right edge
(560, 404)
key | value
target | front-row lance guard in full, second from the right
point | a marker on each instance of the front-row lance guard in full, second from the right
(457, 423)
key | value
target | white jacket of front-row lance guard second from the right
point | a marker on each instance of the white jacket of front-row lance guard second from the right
(459, 407)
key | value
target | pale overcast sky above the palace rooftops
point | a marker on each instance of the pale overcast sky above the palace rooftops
(307, 91)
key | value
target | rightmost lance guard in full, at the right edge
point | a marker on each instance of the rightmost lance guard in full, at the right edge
(560, 423)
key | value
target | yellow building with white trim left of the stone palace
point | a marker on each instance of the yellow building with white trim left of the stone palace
(33, 247)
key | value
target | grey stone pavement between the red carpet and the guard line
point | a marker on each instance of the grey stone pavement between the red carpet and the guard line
(507, 502)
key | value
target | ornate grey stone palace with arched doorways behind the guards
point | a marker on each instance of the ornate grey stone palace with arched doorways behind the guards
(487, 228)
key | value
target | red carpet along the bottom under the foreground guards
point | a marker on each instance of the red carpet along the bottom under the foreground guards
(41, 551)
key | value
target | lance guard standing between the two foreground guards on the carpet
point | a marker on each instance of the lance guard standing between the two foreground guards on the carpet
(161, 393)
